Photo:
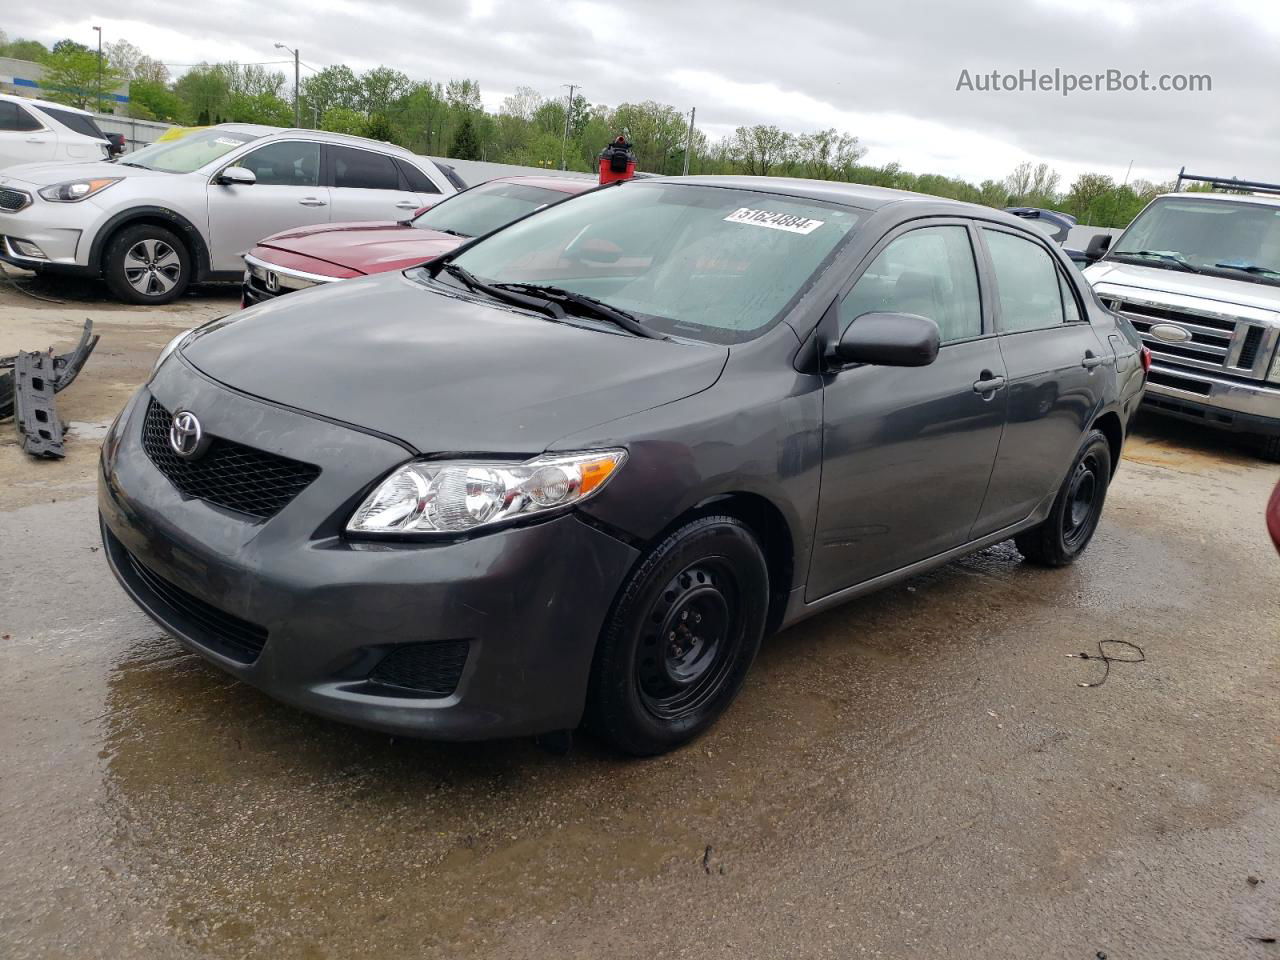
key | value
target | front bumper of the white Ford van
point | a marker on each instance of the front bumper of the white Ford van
(1215, 401)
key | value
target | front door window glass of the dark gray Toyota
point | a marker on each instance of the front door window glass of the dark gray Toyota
(929, 272)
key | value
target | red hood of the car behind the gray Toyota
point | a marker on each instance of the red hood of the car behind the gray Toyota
(369, 248)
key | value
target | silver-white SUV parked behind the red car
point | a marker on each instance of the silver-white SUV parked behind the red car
(189, 209)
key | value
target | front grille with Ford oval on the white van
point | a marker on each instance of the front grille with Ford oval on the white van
(1212, 344)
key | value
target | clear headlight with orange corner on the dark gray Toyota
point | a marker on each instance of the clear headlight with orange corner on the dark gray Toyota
(456, 497)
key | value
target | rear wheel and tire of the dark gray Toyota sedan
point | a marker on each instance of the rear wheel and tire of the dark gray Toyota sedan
(1076, 513)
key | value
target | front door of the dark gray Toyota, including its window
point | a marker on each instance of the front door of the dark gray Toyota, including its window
(908, 451)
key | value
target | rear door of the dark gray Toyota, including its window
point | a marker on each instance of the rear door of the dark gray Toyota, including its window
(1055, 368)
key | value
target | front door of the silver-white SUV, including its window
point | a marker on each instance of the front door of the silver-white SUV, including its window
(286, 195)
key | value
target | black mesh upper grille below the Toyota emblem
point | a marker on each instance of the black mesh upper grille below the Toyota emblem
(230, 474)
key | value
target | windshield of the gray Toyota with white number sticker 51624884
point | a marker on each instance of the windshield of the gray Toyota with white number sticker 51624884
(706, 263)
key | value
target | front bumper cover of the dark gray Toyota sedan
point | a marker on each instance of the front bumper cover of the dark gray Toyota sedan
(529, 602)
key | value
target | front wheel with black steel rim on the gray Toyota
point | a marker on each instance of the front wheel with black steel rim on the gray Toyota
(656, 683)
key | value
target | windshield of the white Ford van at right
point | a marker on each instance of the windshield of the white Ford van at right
(1229, 239)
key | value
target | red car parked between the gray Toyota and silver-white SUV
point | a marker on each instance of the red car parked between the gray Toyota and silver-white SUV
(312, 255)
